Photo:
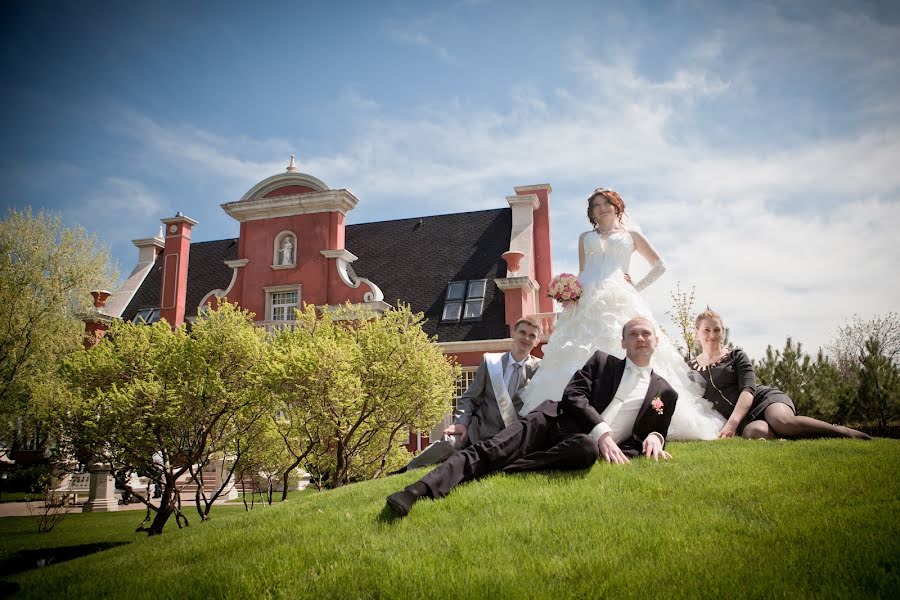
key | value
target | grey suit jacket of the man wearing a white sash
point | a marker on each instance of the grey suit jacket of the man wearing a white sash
(477, 408)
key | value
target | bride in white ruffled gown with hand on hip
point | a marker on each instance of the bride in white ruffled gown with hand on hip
(608, 300)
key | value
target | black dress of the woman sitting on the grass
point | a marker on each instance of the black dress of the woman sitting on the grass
(729, 376)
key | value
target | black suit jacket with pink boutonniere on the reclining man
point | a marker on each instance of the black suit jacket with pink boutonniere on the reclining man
(591, 390)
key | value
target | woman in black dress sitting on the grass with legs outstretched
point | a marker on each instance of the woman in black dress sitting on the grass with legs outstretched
(754, 411)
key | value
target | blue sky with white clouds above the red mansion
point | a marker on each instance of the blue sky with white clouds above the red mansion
(757, 144)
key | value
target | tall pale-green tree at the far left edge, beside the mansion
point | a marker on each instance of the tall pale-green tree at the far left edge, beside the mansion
(47, 271)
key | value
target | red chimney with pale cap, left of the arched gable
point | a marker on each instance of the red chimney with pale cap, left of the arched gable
(173, 294)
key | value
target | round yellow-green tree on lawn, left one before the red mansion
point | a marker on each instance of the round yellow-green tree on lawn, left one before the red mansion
(151, 399)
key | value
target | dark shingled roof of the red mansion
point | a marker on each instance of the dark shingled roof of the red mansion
(411, 260)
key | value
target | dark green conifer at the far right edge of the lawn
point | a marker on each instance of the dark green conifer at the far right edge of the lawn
(879, 386)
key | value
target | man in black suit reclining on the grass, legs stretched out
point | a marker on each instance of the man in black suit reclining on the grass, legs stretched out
(611, 407)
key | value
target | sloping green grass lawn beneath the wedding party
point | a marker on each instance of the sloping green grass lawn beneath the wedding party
(729, 518)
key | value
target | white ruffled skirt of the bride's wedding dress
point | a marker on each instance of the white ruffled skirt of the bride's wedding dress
(595, 323)
